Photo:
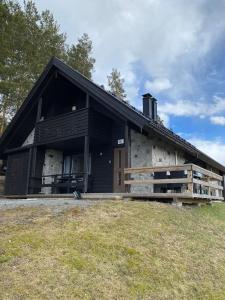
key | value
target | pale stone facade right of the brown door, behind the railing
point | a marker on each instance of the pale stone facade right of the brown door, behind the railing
(148, 151)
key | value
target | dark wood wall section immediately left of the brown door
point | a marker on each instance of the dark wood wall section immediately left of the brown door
(102, 169)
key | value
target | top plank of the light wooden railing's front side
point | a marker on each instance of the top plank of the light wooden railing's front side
(157, 169)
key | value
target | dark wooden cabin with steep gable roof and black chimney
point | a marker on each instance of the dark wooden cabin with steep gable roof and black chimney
(71, 134)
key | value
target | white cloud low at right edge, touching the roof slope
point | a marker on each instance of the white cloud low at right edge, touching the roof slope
(213, 148)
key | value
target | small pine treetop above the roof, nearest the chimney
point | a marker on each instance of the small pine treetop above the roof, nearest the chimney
(115, 83)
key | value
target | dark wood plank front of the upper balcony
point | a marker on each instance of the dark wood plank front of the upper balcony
(62, 127)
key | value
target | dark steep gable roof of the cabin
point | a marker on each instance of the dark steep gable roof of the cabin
(123, 108)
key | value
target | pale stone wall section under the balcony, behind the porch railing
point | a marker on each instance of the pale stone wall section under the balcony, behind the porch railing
(52, 165)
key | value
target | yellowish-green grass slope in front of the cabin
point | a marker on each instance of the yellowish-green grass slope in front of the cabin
(113, 250)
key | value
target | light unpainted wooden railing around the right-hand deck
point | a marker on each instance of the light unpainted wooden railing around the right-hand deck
(181, 181)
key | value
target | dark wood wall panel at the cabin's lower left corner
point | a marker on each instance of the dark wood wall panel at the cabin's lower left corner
(16, 174)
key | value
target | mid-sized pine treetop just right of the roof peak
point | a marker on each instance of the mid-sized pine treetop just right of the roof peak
(79, 56)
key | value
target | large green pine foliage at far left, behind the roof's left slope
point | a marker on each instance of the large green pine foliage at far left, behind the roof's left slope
(28, 40)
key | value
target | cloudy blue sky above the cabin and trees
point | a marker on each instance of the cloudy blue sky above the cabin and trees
(173, 49)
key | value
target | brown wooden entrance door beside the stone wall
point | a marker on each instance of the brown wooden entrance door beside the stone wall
(119, 165)
